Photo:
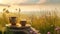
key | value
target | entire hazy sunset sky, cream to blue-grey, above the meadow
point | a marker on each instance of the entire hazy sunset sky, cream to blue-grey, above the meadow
(31, 5)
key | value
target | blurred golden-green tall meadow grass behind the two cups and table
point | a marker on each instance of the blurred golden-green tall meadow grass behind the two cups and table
(47, 22)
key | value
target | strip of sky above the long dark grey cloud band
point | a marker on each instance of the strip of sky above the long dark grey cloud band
(29, 1)
